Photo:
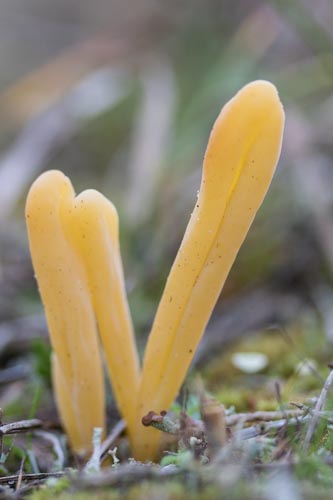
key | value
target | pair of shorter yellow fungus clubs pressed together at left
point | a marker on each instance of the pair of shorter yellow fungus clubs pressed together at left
(75, 252)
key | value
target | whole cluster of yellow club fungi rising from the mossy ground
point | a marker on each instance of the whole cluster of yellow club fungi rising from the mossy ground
(75, 252)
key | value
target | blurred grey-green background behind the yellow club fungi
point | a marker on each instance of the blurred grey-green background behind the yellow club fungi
(121, 96)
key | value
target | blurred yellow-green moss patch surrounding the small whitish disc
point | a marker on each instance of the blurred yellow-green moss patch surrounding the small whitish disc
(287, 352)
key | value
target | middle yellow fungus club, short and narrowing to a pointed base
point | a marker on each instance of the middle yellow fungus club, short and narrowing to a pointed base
(92, 227)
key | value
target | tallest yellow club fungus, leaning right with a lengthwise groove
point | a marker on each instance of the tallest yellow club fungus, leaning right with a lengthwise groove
(240, 160)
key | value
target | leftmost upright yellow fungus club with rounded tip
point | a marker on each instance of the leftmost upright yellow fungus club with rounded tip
(64, 289)
